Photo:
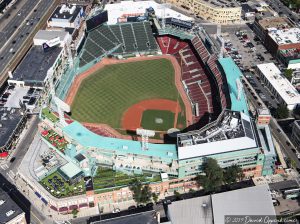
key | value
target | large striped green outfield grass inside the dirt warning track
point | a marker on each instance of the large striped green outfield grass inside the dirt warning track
(104, 96)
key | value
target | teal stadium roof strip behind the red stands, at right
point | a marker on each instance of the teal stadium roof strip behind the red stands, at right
(233, 73)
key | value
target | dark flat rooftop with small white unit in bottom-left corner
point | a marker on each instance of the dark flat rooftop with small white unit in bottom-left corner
(7, 205)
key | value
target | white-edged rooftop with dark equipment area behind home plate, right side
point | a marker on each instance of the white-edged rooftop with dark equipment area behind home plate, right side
(232, 131)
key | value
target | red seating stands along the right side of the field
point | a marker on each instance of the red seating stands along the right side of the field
(201, 84)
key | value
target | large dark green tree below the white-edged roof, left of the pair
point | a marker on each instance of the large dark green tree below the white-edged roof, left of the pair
(213, 178)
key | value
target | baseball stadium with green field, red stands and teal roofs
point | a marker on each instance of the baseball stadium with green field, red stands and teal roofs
(152, 95)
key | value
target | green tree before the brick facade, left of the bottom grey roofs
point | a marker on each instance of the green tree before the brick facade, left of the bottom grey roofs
(141, 194)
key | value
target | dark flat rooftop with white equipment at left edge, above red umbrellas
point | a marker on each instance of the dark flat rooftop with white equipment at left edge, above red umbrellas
(9, 121)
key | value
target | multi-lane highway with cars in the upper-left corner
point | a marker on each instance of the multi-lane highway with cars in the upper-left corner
(15, 37)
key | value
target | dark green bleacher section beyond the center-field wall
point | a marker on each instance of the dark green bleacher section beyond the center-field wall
(124, 38)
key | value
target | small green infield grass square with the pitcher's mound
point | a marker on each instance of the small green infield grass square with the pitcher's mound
(150, 120)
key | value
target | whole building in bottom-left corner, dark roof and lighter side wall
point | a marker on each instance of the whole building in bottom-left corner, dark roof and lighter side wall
(10, 213)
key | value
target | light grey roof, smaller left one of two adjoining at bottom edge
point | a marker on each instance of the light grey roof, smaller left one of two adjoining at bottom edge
(191, 211)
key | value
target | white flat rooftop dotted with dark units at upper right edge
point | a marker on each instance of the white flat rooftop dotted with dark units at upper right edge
(285, 36)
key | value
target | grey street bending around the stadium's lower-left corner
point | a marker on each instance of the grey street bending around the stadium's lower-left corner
(33, 215)
